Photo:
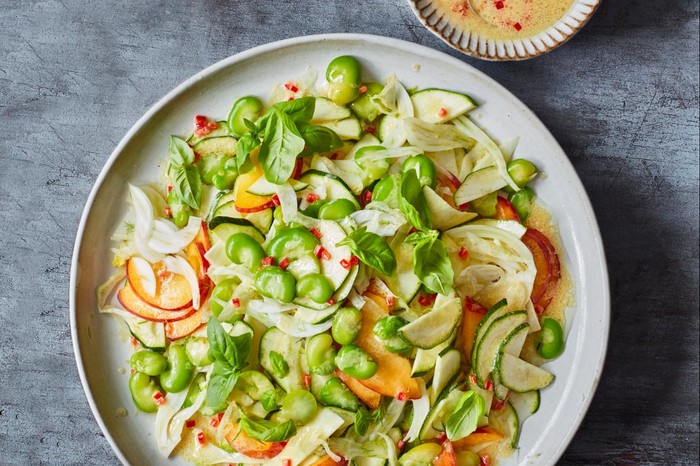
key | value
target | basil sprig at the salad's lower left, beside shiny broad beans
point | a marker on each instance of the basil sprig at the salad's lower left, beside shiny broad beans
(229, 354)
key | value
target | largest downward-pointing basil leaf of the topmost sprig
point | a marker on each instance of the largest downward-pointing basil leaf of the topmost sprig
(280, 147)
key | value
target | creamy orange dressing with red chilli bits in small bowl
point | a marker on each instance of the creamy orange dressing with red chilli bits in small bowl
(505, 19)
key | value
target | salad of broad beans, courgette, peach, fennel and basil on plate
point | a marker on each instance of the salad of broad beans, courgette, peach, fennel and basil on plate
(353, 272)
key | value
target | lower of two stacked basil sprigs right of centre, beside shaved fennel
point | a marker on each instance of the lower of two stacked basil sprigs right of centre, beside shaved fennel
(431, 264)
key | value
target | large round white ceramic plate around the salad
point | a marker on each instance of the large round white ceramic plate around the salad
(101, 348)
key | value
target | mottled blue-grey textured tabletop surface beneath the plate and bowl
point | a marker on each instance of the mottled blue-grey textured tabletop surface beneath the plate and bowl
(621, 98)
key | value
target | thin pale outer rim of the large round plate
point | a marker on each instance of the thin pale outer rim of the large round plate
(291, 42)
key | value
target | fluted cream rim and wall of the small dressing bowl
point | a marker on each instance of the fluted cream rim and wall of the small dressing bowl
(436, 19)
